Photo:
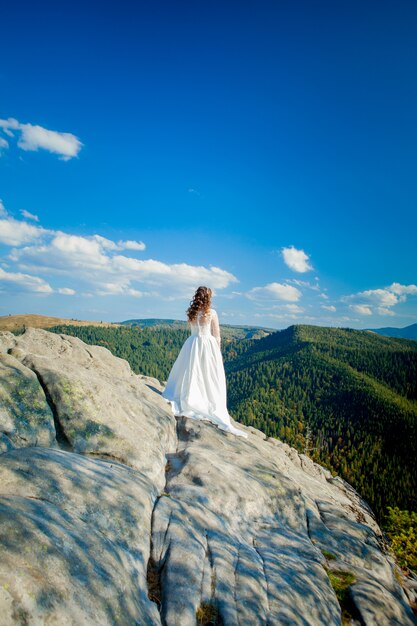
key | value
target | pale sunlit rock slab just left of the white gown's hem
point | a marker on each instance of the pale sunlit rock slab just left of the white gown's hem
(100, 406)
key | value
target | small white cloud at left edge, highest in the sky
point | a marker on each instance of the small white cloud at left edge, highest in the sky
(34, 137)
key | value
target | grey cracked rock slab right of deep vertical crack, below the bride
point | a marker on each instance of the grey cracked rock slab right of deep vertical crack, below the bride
(244, 511)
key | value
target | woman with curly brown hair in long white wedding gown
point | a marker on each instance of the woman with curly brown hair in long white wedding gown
(196, 385)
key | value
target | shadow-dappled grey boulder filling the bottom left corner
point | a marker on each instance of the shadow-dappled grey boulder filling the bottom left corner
(74, 540)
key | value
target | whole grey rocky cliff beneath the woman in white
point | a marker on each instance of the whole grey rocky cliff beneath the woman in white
(112, 512)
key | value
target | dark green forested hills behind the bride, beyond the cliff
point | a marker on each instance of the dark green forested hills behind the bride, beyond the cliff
(346, 397)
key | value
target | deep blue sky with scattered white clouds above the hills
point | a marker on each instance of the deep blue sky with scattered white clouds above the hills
(266, 149)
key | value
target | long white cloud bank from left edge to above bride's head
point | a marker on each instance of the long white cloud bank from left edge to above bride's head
(94, 265)
